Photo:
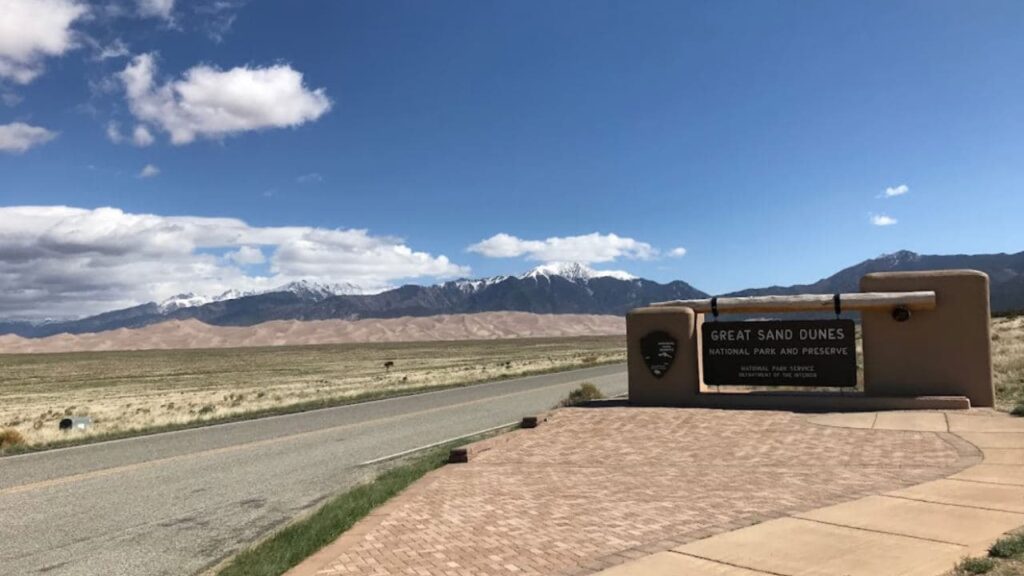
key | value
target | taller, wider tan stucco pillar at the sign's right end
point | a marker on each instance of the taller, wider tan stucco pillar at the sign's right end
(944, 352)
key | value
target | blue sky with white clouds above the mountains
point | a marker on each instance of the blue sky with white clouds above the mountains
(760, 137)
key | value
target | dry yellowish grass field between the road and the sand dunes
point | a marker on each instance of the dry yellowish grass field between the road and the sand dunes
(136, 391)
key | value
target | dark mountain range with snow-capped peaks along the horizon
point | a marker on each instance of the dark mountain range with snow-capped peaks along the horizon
(568, 289)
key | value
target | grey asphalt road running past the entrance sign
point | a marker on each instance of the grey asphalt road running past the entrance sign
(180, 503)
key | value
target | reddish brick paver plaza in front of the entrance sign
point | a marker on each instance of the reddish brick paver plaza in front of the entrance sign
(595, 487)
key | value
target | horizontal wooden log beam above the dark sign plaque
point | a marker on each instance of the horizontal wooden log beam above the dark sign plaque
(860, 302)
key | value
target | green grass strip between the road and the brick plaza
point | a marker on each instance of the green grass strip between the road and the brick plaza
(300, 541)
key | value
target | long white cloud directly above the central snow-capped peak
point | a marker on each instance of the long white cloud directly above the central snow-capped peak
(588, 249)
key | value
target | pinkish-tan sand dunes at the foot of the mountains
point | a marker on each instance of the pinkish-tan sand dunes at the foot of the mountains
(195, 335)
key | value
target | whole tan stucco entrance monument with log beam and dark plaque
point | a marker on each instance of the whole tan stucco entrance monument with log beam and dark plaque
(926, 340)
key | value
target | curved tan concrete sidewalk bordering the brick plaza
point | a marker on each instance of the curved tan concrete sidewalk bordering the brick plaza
(920, 530)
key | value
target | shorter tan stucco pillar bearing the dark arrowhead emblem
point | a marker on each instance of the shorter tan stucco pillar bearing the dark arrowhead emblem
(679, 385)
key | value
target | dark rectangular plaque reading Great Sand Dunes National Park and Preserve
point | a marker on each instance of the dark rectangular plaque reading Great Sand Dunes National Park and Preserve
(792, 353)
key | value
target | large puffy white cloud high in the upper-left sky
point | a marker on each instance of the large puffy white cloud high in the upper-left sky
(215, 104)
